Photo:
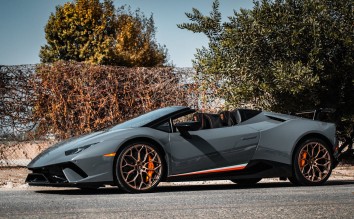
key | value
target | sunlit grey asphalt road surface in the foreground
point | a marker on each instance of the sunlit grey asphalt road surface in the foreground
(265, 200)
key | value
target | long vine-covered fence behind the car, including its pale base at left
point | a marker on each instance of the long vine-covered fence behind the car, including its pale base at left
(69, 98)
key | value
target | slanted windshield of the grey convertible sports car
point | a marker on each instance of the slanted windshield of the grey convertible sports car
(146, 118)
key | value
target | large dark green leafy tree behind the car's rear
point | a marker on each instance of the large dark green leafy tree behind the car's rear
(285, 55)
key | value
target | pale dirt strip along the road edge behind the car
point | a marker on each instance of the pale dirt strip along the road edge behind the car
(14, 177)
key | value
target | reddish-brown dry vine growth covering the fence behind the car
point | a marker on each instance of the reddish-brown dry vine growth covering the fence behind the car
(74, 98)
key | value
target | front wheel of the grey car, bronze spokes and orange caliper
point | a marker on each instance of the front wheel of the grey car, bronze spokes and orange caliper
(139, 167)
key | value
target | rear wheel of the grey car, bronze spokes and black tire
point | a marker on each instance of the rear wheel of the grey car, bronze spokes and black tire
(312, 163)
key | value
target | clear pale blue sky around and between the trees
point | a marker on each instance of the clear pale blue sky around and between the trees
(22, 26)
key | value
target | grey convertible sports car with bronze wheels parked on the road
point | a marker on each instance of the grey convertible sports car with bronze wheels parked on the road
(179, 144)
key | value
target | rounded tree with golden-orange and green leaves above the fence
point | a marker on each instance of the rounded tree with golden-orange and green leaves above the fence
(94, 32)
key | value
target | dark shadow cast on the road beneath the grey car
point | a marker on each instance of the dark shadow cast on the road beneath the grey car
(186, 188)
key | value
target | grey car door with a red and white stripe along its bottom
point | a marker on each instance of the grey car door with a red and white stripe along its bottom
(212, 150)
